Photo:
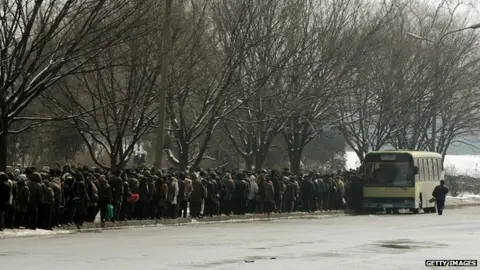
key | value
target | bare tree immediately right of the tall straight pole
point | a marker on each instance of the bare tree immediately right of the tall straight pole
(204, 73)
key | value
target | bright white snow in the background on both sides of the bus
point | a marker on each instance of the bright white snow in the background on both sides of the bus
(454, 164)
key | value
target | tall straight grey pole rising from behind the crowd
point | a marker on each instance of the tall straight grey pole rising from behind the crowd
(165, 57)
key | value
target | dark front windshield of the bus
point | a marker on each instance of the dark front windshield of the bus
(399, 174)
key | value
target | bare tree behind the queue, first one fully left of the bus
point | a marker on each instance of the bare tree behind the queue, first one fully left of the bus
(329, 49)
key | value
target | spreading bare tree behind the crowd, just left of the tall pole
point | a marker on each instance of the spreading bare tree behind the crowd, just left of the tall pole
(115, 104)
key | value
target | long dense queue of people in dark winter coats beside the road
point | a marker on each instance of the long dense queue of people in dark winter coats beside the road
(49, 198)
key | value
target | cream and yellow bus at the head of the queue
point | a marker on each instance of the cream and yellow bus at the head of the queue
(401, 179)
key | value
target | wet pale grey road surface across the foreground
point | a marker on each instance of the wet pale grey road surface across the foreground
(352, 242)
